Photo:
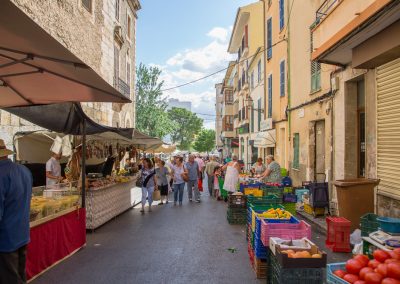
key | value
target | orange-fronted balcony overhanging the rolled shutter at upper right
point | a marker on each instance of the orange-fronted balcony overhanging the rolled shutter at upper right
(342, 26)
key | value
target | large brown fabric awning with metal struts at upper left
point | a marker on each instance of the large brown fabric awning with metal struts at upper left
(36, 69)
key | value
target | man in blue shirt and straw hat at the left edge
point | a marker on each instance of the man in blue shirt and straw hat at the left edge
(15, 198)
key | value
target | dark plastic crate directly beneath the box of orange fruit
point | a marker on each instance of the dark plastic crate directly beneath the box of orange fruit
(278, 274)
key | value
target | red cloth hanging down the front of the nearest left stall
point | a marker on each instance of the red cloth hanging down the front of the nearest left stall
(54, 240)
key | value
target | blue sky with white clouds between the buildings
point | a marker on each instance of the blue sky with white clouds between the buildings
(187, 39)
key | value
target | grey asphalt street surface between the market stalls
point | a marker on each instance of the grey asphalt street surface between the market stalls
(168, 245)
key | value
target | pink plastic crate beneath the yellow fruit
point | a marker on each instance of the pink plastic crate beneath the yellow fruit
(287, 231)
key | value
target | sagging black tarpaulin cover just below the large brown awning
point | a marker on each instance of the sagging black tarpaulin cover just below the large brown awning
(66, 118)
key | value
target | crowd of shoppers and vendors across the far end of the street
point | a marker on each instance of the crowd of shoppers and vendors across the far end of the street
(182, 172)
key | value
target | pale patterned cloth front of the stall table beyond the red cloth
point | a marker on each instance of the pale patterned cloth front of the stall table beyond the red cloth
(105, 203)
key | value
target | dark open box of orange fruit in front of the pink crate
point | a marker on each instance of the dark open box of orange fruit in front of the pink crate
(313, 258)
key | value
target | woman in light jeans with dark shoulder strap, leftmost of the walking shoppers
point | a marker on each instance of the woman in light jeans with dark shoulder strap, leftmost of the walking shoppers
(149, 180)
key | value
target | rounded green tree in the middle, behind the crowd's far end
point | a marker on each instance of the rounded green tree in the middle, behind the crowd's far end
(188, 125)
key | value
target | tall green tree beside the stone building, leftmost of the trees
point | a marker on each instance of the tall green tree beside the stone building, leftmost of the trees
(151, 115)
